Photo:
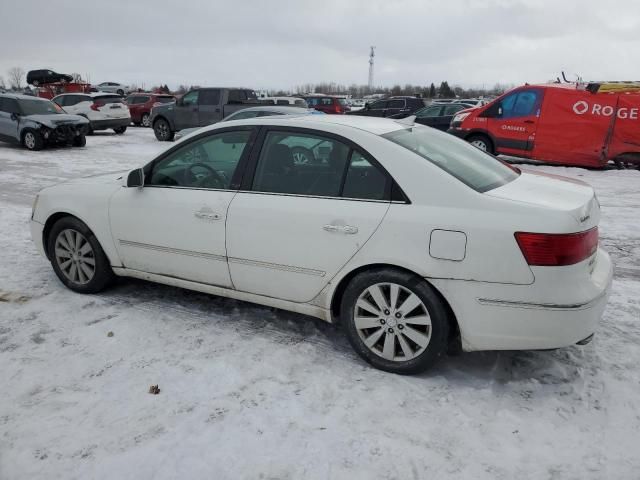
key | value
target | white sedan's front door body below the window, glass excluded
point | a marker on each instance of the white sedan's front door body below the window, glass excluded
(172, 231)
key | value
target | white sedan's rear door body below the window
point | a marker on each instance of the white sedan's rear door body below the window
(290, 247)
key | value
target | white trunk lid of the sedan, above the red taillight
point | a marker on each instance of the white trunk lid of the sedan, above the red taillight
(555, 192)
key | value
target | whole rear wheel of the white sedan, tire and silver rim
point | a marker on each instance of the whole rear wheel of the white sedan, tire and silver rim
(395, 320)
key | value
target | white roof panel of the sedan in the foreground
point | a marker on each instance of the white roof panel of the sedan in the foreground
(375, 125)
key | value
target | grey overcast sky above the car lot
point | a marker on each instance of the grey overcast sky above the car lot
(280, 44)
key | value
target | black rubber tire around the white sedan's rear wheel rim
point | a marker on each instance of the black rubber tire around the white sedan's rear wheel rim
(437, 343)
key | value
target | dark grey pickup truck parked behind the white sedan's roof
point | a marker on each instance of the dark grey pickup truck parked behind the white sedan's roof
(197, 108)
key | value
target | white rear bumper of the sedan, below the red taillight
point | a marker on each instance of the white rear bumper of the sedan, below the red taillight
(516, 317)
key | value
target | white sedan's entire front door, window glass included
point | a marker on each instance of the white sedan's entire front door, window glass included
(175, 225)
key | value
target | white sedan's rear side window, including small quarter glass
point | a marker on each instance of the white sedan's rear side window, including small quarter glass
(314, 165)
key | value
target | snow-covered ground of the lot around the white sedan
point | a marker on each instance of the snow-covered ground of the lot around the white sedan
(250, 392)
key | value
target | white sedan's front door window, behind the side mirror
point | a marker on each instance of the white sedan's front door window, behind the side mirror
(208, 162)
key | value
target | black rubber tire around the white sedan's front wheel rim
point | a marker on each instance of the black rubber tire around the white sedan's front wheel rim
(102, 275)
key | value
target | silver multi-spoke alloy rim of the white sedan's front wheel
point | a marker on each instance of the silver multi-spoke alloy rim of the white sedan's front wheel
(75, 257)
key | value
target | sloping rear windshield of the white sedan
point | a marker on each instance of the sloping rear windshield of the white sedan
(475, 168)
